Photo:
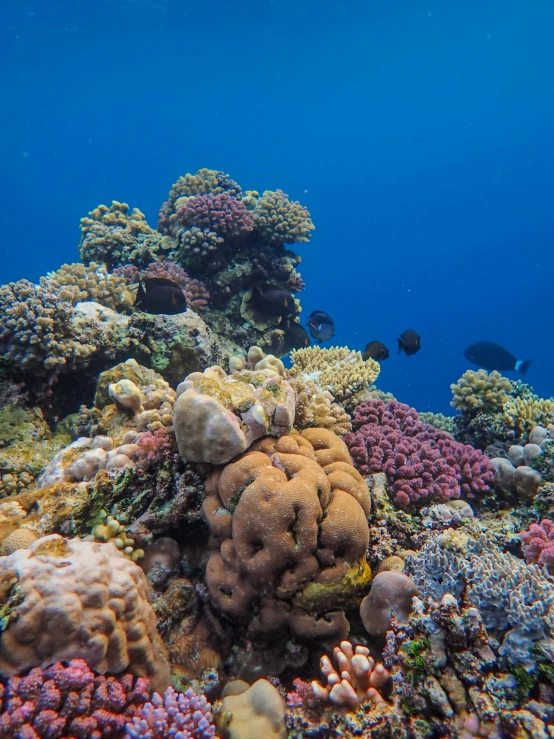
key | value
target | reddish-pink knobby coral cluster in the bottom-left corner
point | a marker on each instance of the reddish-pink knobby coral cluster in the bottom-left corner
(69, 700)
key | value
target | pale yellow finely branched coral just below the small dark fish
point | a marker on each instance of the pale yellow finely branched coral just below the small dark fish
(342, 372)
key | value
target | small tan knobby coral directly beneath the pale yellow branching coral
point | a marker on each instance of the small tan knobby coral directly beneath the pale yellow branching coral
(315, 407)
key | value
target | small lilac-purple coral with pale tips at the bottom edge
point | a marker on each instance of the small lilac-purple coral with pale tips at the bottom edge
(180, 715)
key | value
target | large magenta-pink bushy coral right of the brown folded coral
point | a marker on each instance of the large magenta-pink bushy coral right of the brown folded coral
(421, 462)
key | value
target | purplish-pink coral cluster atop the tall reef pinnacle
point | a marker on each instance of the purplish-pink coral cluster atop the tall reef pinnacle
(221, 213)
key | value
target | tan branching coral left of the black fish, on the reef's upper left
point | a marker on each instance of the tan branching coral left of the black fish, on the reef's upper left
(94, 283)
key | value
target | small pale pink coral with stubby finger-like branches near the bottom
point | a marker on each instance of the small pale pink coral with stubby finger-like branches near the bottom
(357, 679)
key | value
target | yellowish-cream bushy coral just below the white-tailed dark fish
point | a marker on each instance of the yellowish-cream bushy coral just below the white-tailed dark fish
(481, 391)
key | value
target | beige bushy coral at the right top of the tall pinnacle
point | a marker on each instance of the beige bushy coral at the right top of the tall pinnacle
(280, 220)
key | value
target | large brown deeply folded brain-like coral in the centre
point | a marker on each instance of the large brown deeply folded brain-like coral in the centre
(289, 536)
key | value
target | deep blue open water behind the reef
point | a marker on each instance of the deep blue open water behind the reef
(419, 134)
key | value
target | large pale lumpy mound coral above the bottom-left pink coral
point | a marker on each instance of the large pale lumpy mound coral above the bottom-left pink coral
(68, 599)
